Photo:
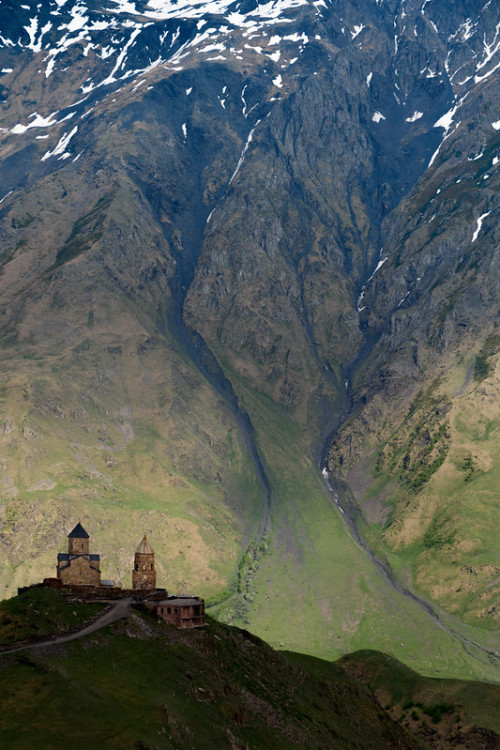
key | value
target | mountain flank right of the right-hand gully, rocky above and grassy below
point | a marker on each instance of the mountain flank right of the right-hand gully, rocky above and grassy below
(431, 308)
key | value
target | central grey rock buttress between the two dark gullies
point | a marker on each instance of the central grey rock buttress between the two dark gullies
(267, 248)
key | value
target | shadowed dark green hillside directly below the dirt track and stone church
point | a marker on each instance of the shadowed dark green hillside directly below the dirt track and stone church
(142, 684)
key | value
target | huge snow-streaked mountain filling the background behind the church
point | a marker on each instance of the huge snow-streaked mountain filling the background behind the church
(248, 297)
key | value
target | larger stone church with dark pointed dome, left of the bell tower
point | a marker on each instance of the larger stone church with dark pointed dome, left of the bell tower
(77, 566)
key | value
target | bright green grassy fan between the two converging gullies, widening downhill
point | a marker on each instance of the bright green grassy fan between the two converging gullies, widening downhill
(313, 590)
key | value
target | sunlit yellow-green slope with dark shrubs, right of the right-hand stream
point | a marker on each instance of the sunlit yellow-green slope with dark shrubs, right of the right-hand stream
(428, 493)
